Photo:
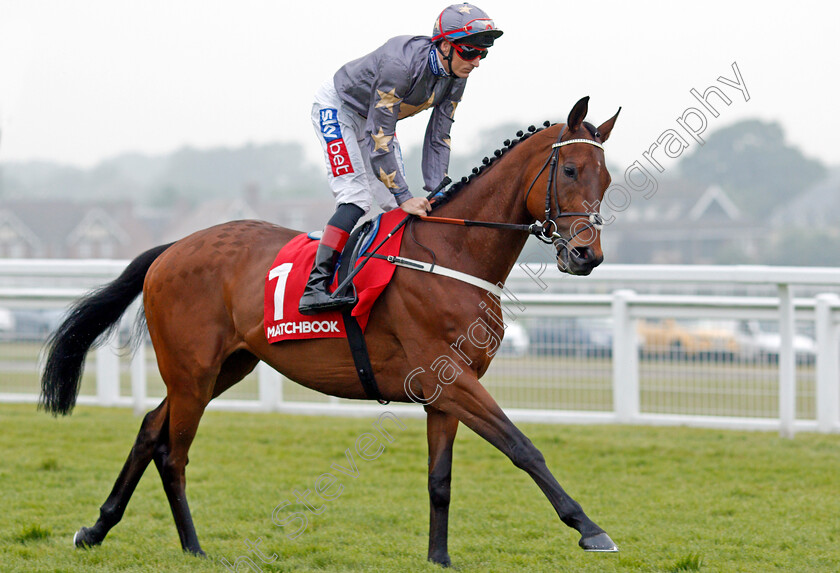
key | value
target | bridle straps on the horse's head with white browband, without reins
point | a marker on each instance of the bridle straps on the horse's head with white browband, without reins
(546, 231)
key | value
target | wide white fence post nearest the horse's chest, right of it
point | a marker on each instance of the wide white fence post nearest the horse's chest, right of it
(625, 360)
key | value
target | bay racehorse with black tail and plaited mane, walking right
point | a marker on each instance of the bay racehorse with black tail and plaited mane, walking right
(203, 300)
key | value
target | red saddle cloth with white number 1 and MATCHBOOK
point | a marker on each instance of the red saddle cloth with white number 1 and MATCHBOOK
(287, 277)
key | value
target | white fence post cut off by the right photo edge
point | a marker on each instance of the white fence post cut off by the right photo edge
(828, 365)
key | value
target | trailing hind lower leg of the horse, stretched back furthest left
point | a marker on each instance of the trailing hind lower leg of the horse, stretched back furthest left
(154, 424)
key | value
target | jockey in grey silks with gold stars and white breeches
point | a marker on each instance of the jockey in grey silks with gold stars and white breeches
(355, 115)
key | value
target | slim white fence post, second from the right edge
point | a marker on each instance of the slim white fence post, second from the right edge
(787, 363)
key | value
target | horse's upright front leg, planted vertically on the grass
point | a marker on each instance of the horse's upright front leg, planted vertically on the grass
(440, 431)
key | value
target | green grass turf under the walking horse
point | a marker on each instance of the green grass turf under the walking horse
(674, 499)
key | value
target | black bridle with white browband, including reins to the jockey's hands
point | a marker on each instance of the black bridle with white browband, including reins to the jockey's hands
(546, 231)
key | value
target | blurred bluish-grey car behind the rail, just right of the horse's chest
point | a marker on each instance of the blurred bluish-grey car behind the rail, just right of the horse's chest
(566, 336)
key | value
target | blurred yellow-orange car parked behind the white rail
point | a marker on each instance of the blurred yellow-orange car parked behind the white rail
(690, 339)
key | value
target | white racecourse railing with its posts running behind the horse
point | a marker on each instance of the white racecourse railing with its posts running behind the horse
(57, 282)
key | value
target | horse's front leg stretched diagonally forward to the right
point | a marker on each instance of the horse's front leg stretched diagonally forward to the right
(467, 400)
